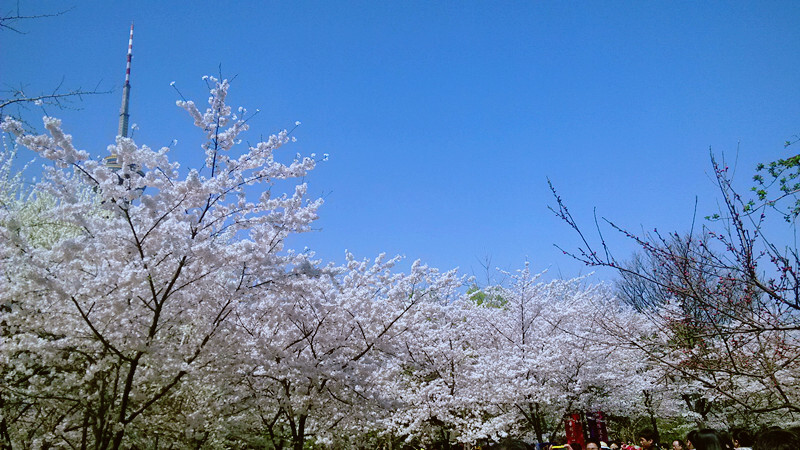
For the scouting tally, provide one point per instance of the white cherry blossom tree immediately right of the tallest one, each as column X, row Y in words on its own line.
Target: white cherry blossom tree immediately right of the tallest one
column 320, row 346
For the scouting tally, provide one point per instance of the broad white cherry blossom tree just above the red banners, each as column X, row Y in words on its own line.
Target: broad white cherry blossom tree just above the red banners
column 514, row 366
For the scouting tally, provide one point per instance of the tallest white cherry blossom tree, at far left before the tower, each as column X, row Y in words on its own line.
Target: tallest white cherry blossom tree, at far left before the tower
column 103, row 328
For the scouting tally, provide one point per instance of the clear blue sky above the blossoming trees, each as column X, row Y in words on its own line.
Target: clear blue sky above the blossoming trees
column 443, row 119
